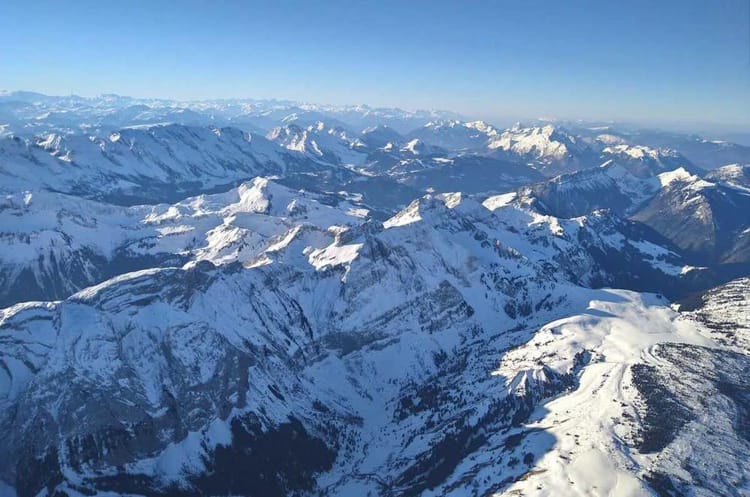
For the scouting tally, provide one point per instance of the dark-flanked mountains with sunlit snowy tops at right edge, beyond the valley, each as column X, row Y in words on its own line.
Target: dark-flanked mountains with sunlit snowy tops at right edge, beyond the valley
column 706, row 221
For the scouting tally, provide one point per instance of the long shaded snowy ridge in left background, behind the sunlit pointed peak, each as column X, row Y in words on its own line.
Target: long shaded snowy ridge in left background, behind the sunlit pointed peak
column 169, row 163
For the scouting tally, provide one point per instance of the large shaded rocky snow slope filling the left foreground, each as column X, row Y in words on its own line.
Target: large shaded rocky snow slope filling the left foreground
column 313, row 316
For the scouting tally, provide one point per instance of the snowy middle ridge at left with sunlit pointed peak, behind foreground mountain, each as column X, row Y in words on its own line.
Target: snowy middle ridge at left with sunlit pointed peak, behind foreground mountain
column 53, row 244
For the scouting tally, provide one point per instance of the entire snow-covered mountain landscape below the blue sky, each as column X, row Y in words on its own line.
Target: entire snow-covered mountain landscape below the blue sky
column 259, row 297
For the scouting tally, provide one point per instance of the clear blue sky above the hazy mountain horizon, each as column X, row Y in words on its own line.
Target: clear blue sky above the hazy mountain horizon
column 658, row 61
